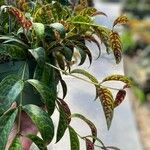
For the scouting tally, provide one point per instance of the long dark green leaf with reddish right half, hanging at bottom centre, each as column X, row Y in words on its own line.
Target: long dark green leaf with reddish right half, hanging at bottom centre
column 64, row 119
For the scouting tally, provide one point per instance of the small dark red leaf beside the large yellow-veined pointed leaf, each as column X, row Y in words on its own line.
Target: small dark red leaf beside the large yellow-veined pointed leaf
column 119, row 97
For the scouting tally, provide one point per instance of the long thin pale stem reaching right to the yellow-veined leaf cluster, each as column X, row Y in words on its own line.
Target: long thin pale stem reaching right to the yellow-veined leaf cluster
column 66, row 73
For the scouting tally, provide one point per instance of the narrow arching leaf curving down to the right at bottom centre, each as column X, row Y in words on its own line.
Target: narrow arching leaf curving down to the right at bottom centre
column 89, row 123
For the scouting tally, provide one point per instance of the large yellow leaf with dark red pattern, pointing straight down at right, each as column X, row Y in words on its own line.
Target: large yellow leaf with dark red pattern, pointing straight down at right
column 107, row 102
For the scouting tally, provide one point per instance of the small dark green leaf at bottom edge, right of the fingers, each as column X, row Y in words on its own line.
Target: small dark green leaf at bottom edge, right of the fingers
column 38, row 141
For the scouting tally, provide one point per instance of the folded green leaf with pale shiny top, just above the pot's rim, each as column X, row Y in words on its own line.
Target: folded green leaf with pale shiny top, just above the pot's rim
column 39, row 55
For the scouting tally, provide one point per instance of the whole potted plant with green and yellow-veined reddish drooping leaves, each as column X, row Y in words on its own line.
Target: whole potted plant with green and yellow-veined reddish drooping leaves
column 38, row 41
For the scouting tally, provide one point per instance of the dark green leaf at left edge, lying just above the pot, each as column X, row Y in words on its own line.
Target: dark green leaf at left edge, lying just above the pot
column 14, row 51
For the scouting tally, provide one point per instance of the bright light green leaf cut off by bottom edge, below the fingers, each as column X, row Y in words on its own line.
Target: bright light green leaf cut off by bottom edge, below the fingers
column 15, row 145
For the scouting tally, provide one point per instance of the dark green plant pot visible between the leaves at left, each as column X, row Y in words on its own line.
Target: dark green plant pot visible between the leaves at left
column 30, row 96
